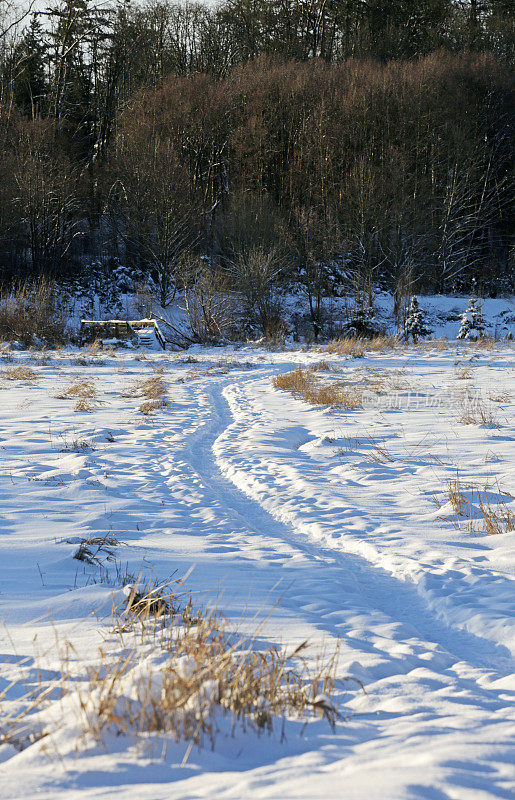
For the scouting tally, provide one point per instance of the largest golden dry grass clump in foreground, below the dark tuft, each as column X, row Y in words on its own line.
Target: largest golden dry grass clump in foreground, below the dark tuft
column 206, row 672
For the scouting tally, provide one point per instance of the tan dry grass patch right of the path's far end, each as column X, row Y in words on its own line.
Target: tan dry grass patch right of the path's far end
column 302, row 382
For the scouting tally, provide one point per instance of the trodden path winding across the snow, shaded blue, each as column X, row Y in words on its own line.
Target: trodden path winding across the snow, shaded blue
column 374, row 590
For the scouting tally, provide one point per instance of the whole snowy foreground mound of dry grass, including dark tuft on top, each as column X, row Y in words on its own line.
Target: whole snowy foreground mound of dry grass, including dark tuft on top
column 178, row 672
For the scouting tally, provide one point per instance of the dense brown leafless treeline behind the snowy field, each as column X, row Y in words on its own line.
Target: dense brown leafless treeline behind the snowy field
column 266, row 142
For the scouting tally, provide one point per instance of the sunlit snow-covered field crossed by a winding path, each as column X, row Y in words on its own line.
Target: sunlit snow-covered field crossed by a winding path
column 329, row 524
